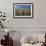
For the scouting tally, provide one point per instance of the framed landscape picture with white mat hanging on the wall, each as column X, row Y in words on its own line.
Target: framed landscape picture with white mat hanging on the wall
column 22, row 9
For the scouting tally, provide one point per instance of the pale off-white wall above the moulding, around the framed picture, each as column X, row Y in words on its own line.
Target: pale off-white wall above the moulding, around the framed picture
column 39, row 13
